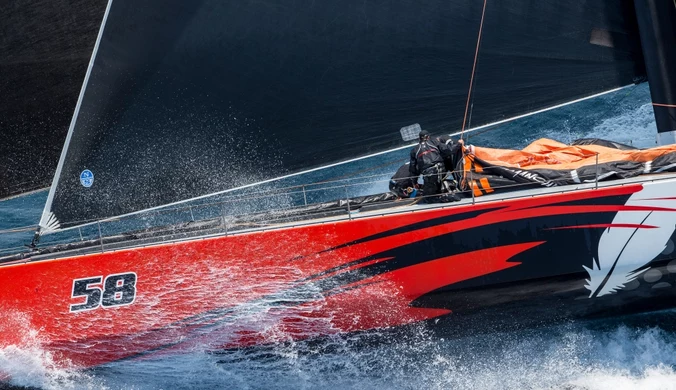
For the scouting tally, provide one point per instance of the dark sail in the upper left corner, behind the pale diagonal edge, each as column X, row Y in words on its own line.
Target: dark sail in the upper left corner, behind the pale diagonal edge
column 44, row 50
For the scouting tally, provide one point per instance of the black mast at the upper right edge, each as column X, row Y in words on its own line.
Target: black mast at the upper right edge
column 657, row 27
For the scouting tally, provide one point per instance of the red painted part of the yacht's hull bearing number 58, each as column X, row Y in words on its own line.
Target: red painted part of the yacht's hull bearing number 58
column 275, row 285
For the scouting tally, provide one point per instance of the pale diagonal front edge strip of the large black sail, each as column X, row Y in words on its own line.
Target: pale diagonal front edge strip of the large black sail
column 47, row 217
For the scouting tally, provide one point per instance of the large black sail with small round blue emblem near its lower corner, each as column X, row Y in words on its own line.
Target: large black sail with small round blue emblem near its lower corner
column 192, row 98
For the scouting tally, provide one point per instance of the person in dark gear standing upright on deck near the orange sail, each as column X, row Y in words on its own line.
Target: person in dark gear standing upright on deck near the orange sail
column 427, row 159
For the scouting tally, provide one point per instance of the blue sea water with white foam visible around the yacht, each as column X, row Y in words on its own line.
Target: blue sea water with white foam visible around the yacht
column 624, row 353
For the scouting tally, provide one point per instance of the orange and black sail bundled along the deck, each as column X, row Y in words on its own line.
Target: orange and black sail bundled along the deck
column 550, row 163
